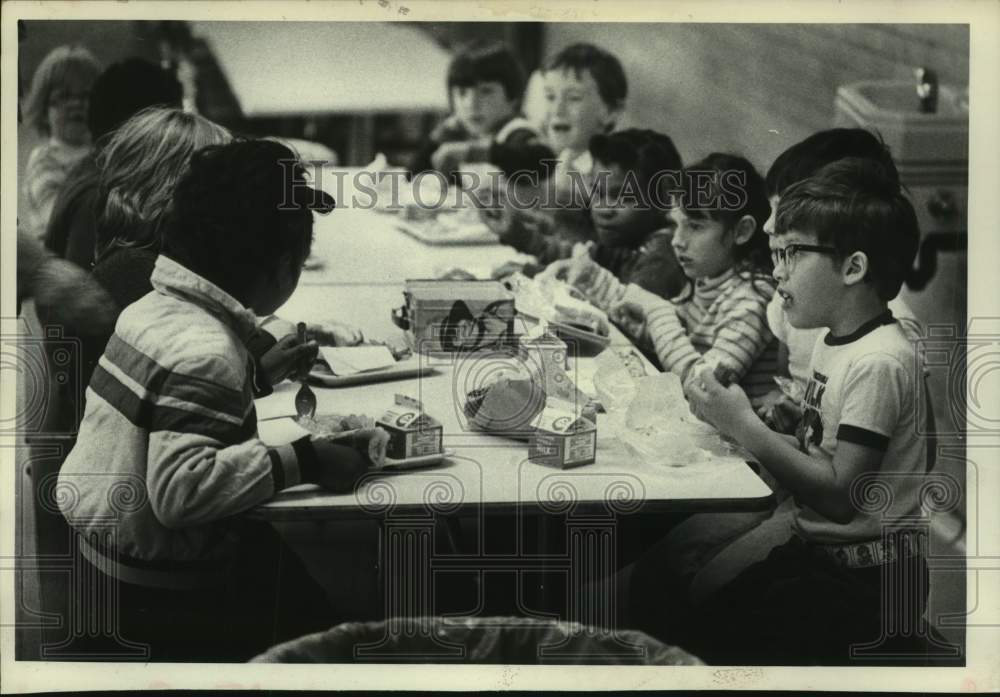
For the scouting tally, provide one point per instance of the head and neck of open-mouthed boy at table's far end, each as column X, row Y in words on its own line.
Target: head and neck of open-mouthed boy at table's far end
column 585, row 90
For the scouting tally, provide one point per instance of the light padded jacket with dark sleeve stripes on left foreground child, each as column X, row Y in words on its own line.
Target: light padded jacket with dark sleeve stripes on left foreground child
column 168, row 448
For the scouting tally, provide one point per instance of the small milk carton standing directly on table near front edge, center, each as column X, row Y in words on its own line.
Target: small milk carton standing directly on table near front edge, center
column 563, row 438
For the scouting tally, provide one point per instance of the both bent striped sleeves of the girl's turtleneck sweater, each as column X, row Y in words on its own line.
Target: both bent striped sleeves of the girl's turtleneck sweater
column 739, row 336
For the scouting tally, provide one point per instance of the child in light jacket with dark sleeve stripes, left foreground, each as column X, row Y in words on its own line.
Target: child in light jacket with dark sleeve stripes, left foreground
column 170, row 417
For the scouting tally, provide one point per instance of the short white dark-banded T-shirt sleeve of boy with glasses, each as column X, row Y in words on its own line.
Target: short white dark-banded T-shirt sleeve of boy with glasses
column 874, row 393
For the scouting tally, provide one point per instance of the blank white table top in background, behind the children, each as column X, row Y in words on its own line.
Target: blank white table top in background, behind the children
column 300, row 68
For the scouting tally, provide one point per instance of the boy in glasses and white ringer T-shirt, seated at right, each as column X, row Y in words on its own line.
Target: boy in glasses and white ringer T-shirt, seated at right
column 842, row 243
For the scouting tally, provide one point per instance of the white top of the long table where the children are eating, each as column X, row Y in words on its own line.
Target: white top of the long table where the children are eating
column 367, row 263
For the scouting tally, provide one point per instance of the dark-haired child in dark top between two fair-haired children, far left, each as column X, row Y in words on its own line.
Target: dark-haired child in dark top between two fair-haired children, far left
column 121, row 91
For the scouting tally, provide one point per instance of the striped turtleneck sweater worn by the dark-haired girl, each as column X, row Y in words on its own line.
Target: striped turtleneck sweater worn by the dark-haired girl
column 723, row 321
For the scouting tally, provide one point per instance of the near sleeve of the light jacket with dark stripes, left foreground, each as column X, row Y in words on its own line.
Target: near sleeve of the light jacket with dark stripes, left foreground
column 204, row 461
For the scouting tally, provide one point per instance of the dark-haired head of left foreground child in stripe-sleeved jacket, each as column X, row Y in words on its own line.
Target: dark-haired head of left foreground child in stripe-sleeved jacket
column 240, row 211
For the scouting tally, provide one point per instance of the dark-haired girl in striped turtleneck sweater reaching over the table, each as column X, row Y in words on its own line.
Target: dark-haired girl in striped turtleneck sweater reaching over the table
column 720, row 319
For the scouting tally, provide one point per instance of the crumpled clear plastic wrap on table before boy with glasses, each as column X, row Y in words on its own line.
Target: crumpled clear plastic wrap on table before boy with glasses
column 649, row 415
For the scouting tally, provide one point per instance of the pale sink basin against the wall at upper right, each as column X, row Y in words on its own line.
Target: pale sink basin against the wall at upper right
column 891, row 108
